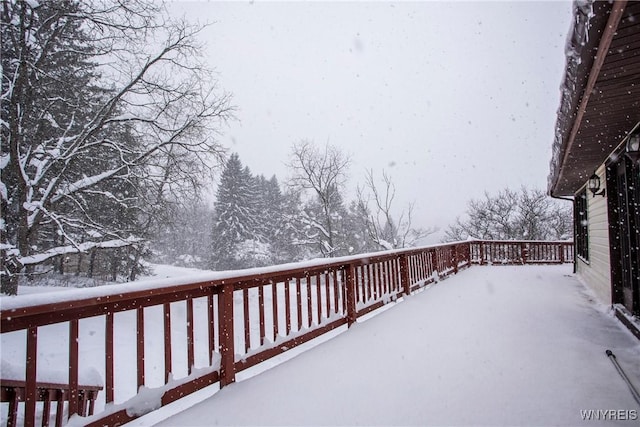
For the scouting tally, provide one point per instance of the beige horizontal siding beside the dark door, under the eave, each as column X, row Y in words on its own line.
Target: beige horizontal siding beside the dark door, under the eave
column 596, row 272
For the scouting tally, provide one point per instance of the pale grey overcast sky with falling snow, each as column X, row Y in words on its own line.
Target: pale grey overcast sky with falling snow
column 450, row 98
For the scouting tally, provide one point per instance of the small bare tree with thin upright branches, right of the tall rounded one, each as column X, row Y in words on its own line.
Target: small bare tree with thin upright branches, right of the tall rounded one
column 384, row 229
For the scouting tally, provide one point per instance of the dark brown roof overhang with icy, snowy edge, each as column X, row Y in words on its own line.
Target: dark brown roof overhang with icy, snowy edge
column 600, row 101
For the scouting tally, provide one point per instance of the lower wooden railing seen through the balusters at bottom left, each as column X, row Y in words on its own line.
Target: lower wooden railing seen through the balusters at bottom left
column 13, row 391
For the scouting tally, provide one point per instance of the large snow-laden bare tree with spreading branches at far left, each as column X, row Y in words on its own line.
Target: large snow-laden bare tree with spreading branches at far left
column 94, row 107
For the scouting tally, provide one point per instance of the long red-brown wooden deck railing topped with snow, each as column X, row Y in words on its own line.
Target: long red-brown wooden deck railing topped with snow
column 188, row 336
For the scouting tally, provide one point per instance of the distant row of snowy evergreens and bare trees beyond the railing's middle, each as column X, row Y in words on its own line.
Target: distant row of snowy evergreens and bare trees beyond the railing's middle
column 256, row 221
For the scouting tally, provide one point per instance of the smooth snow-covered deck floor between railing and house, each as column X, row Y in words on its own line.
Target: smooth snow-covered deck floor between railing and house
column 507, row 345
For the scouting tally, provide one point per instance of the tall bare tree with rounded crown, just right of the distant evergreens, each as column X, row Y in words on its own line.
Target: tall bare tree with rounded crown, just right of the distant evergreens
column 324, row 173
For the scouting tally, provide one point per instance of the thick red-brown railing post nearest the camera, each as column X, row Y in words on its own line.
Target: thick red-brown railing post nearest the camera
column 226, row 337
